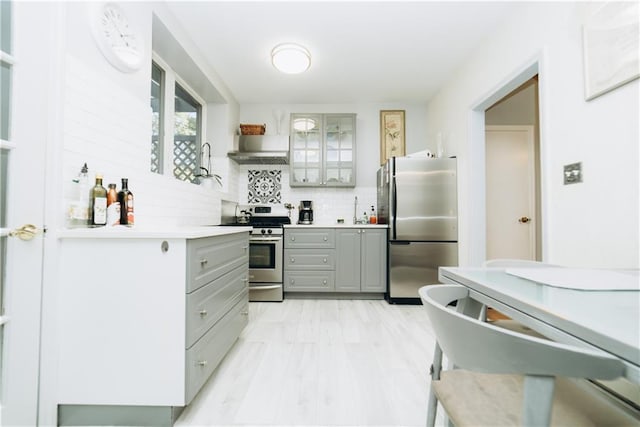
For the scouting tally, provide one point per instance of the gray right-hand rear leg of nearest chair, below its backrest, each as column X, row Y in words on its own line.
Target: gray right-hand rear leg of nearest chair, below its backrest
column 538, row 400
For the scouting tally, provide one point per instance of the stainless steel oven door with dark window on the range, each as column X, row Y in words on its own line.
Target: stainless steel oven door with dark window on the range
column 265, row 259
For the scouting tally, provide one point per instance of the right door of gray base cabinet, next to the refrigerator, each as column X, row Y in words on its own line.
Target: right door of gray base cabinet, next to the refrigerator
column 374, row 260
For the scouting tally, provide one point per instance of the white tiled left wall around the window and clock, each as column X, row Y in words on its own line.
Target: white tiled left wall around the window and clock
column 107, row 123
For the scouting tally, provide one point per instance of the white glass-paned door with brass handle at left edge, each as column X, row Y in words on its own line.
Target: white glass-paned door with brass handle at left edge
column 23, row 133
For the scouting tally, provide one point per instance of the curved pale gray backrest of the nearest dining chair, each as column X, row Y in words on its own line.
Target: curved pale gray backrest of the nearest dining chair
column 480, row 346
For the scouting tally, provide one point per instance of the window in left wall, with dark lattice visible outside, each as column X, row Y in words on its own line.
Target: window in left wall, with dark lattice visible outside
column 187, row 111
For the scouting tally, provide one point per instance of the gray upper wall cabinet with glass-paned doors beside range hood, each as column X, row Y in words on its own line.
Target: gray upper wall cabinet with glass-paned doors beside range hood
column 323, row 150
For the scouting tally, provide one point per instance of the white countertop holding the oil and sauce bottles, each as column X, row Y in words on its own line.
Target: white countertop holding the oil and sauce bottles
column 176, row 232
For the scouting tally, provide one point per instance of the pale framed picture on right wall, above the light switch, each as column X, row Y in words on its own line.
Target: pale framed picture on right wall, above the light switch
column 611, row 46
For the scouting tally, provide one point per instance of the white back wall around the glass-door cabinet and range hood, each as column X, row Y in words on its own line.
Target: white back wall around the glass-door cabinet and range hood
column 333, row 203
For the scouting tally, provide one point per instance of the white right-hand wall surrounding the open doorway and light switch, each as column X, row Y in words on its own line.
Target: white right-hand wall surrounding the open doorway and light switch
column 594, row 223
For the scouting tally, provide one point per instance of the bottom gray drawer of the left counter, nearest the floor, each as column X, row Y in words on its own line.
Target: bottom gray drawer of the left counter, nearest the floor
column 205, row 355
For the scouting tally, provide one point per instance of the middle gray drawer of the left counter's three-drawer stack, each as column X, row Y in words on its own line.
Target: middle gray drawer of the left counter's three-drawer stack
column 209, row 303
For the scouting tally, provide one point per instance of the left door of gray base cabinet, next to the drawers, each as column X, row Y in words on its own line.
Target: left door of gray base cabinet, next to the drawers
column 348, row 260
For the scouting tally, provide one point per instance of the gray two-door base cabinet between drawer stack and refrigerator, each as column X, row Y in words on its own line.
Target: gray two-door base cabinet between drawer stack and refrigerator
column 361, row 255
